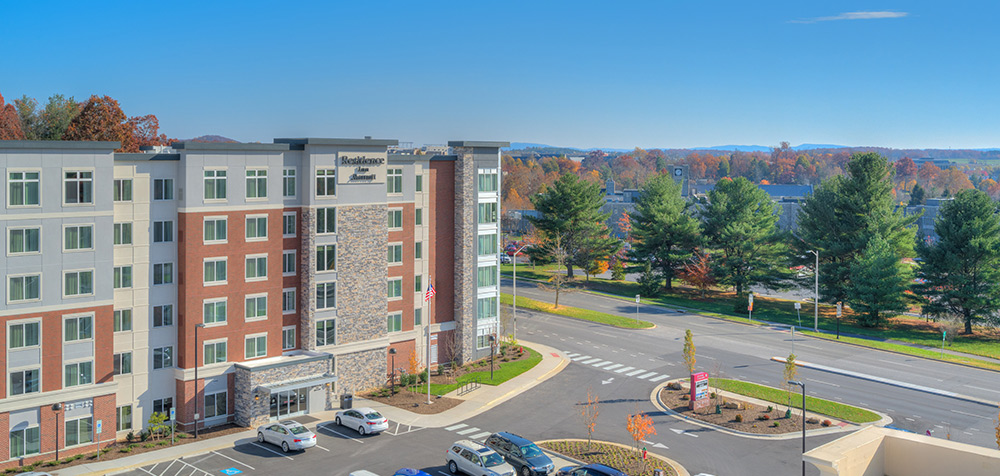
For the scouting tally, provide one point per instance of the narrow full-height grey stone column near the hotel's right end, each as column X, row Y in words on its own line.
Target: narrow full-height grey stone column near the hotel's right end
column 465, row 252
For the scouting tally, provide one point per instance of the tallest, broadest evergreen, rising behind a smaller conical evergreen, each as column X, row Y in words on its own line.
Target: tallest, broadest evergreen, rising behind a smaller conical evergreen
column 845, row 213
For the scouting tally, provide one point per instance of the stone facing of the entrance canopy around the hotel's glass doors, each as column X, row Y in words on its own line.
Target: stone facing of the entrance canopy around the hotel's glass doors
column 252, row 412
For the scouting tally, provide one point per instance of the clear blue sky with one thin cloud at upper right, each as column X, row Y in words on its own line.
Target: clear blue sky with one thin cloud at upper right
column 586, row 74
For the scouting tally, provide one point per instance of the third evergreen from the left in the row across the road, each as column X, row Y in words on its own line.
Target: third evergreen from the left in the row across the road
column 740, row 222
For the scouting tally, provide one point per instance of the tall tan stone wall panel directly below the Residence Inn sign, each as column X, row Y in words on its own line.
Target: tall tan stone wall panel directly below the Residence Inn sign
column 362, row 240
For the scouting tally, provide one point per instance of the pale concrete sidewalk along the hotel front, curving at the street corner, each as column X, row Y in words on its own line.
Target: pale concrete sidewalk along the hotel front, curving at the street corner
column 476, row 402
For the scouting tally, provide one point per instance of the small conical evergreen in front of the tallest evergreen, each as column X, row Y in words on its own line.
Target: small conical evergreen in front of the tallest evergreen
column 879, row 279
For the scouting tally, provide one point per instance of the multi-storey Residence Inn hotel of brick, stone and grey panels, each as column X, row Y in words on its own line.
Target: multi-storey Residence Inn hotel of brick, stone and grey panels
column 239, row 283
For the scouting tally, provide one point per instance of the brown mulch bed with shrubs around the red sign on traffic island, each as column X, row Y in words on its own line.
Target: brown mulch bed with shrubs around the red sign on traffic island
column 753, row 415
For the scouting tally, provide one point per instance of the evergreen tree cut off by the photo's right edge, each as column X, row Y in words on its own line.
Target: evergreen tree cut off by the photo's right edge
column 962, row 269
